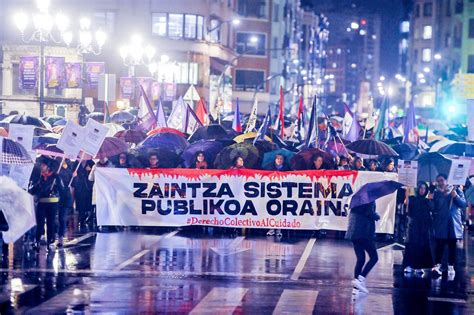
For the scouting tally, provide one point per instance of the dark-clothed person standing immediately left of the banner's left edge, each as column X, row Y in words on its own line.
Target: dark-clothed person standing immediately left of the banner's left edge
column 83, row 190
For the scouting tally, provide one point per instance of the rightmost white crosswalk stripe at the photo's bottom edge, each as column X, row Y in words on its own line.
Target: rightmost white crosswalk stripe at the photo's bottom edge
column 296, row 302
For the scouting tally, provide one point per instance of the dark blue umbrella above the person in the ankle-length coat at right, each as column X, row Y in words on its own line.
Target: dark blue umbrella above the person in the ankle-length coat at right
column 431, row 164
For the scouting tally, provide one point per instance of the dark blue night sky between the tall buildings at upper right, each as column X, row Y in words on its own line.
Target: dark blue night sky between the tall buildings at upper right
column 391, row 12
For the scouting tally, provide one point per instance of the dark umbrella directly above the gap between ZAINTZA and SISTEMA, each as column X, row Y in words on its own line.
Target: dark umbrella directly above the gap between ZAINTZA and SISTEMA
column 247, row 151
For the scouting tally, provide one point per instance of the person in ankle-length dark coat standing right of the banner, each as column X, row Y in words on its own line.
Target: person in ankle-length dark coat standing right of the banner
column 417, row 254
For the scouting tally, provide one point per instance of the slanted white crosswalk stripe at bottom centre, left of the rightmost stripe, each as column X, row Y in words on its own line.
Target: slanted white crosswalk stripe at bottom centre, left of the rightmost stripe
column 220, row 301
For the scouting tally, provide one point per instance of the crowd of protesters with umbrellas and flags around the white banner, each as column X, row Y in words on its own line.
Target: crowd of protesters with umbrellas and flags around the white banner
column 430, row 213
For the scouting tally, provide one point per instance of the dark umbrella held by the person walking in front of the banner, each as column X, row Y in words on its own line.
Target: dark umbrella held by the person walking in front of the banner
column 373, row 191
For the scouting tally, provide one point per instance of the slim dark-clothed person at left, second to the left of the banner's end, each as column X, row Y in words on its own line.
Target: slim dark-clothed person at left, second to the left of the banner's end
column 65, row 201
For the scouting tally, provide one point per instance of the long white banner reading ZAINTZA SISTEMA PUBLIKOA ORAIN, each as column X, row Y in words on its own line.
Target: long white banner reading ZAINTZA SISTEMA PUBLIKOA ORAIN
column 307, row 200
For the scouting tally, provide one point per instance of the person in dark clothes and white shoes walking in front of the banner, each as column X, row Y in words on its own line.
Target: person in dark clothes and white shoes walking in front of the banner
column 361, row 231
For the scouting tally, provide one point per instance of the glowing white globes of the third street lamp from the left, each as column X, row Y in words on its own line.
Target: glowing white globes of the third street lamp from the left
column 136, row 54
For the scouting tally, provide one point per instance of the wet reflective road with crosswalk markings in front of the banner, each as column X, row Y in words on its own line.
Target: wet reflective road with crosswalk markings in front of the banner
column 187, row 271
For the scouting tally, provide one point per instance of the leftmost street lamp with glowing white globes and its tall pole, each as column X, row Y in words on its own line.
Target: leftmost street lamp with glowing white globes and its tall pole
column 43, row 27
